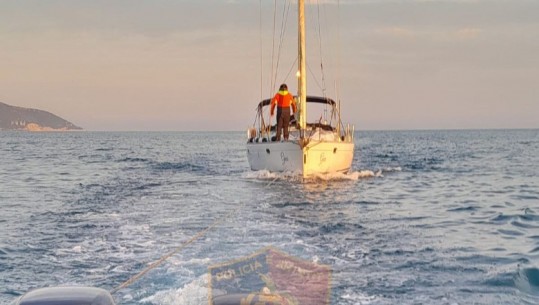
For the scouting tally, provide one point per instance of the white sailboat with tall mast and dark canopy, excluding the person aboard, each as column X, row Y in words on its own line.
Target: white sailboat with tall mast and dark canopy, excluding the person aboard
column 313, row 148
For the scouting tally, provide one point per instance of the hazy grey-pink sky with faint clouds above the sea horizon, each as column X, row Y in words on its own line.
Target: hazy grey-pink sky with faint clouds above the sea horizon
column 132, row 65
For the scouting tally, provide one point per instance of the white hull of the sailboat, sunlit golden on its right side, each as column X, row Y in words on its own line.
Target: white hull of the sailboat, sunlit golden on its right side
column 317, row 157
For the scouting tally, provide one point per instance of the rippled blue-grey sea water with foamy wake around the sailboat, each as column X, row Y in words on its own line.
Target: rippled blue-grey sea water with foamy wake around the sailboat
column 425, row 217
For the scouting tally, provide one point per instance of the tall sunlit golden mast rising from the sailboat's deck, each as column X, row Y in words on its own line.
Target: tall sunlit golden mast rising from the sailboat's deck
column 302, row 88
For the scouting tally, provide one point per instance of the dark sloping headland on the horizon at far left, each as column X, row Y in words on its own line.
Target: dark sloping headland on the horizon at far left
column 19, row 118
